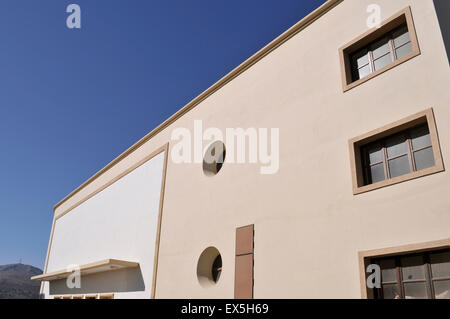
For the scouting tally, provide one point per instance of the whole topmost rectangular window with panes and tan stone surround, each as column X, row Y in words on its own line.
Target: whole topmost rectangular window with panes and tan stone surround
column 379, row 49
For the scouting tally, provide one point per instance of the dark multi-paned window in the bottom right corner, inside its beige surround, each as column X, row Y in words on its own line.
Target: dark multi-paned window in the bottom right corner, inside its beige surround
column 414, row 276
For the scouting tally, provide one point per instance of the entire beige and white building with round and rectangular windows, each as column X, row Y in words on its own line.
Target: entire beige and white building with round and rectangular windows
column 362, row 114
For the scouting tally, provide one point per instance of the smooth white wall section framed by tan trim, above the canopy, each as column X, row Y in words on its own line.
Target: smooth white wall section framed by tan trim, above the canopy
column 120, row 222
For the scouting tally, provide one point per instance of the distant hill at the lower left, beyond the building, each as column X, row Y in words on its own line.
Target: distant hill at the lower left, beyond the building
column 15, row 282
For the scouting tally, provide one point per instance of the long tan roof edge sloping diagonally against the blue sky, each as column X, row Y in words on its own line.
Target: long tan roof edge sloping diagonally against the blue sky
column 303, row 23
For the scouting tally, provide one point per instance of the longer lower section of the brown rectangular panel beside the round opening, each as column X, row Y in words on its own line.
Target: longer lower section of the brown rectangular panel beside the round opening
column 243, row 284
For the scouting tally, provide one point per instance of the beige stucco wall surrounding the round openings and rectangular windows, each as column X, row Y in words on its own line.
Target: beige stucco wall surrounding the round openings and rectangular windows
column 309, row 226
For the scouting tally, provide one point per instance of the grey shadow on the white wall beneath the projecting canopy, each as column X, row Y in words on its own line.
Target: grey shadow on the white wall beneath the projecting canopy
column 122, row 280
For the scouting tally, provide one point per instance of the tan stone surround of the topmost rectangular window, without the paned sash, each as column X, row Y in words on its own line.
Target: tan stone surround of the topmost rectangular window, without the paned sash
column 404, row 17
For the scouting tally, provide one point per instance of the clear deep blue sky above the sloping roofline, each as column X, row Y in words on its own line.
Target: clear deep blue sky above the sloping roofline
column 73, row 100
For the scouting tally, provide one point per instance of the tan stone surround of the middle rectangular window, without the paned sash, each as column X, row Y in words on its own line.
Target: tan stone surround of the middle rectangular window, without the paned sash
column 355, row 144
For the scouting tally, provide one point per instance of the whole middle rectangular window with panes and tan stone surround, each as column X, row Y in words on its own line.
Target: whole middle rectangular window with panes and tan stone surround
column 397, row 152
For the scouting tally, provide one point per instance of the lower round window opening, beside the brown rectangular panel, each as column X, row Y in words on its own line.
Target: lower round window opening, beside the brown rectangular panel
column 209, row 267
